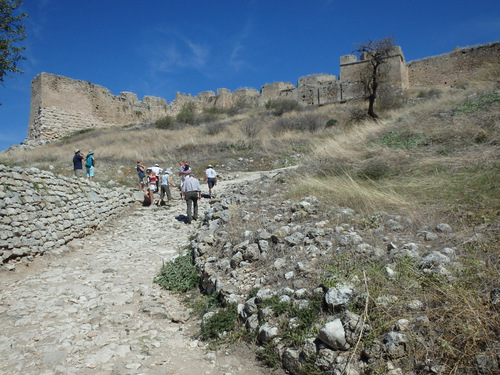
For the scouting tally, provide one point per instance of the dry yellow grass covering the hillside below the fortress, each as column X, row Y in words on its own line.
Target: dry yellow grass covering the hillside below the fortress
column 435, row 159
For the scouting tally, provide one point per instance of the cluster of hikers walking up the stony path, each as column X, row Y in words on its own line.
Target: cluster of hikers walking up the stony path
column 156, row 179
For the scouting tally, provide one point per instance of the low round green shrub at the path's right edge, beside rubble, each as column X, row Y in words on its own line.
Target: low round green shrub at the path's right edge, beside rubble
column 179, row 275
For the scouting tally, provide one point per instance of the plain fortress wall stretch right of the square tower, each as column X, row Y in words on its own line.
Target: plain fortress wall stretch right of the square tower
column 456, row 67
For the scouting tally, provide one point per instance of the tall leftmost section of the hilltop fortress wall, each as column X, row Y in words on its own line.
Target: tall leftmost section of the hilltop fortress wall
column 61, row 106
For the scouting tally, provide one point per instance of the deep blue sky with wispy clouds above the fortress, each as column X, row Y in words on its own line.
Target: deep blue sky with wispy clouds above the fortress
column 160, row 47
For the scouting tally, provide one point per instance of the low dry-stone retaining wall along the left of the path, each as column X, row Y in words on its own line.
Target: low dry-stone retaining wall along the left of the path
column 40, row 211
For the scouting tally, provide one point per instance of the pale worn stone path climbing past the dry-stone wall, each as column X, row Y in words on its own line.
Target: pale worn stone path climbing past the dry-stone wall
column 92, row 308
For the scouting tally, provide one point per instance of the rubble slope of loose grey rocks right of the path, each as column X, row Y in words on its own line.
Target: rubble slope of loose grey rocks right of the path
column 290, row 262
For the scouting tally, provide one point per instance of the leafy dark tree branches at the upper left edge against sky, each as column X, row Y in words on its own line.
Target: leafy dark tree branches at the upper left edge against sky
column 12, row 31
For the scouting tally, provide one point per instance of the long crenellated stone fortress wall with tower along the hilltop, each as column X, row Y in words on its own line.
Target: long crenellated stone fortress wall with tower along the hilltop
column 61, row 106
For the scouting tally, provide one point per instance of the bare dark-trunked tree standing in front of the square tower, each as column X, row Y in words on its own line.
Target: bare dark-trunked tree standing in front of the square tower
column 376, row 53
